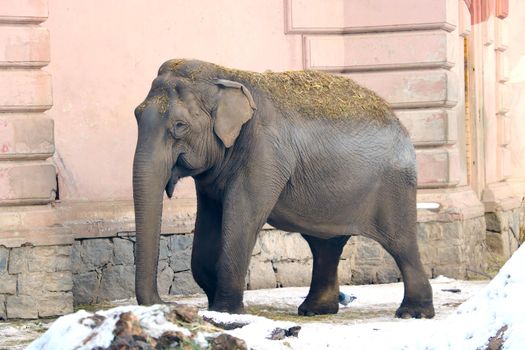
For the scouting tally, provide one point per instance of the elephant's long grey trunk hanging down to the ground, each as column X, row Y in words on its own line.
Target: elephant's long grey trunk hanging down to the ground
column 148, row 186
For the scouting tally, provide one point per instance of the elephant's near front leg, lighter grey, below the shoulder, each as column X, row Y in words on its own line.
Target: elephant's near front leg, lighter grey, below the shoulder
column 245, row 210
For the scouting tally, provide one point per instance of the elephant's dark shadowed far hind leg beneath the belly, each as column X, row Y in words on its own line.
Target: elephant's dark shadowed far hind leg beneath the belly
column 324, row 288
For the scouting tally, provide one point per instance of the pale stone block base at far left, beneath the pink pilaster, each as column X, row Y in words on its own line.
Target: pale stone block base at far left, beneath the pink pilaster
column 35, row 282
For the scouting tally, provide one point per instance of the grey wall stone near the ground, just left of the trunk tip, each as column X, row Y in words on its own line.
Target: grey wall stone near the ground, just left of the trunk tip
column 117, row 282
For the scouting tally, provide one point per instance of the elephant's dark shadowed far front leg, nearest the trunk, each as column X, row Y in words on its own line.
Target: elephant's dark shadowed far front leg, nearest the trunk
column 206, row 243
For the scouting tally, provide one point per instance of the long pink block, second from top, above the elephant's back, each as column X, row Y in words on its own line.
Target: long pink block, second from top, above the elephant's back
column 428, row 49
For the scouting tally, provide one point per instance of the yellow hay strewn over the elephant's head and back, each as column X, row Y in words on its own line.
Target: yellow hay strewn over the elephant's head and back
column 311, row 93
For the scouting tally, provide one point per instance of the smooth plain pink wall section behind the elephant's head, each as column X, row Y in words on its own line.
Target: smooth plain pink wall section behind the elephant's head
column 104, row 55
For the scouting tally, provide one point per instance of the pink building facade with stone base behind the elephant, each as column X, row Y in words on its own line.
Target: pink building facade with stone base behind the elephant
column 71, row 75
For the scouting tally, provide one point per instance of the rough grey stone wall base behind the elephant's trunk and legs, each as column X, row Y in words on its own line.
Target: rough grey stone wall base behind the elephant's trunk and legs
column 103, row 267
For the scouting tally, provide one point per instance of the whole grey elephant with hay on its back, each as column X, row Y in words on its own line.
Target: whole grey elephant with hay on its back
column 304, row 151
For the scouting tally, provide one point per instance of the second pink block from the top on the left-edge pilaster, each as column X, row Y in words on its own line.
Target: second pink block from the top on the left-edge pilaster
column 24, row 46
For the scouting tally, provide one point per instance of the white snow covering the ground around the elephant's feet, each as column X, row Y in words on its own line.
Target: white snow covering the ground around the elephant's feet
column 366, row 323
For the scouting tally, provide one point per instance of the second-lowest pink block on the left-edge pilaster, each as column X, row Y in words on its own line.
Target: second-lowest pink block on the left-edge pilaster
column 26, row 137
